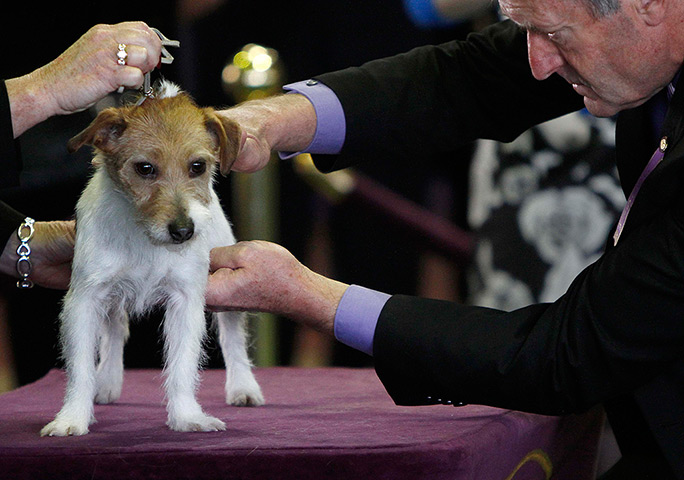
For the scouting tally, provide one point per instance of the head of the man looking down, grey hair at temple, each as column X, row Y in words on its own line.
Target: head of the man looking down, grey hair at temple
column 616, row 53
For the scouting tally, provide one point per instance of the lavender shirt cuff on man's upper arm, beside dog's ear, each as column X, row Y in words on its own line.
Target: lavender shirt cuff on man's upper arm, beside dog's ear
column 330, row 122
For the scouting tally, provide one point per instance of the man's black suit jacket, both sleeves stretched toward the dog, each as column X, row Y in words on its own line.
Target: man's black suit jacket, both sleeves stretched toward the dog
column 616, row 337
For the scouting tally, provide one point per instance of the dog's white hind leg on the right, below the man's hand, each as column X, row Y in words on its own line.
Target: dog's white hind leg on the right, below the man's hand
column 242, row 388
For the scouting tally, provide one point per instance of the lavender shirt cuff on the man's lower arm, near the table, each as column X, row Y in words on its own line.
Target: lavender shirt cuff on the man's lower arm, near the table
column 357, row 315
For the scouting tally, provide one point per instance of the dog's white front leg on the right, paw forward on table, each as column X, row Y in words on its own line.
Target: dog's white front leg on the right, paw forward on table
column 184, row 332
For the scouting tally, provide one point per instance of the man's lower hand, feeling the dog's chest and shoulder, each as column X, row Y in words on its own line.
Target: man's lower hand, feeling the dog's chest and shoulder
column 265, row 277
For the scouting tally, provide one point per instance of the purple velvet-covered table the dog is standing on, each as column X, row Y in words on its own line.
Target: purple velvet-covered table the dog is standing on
column 317, row 424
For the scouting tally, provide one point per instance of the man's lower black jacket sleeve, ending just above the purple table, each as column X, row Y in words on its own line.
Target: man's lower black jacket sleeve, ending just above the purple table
column 618, row 326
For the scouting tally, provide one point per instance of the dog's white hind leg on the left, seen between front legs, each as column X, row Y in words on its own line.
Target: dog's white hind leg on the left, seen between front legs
column 110, row 369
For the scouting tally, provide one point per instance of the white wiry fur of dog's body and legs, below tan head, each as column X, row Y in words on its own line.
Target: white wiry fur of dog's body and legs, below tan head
column 118, row 271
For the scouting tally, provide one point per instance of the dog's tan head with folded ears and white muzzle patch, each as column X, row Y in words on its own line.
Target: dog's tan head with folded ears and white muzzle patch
column 163, row 155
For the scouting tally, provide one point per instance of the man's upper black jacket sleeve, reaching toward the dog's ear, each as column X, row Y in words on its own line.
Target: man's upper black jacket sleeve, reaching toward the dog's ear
column 435, row 99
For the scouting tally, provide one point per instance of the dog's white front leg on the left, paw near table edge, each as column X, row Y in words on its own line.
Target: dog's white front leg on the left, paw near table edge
column 80, row 324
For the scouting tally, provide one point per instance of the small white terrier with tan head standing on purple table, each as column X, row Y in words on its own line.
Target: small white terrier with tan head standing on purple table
column 145, row 224
